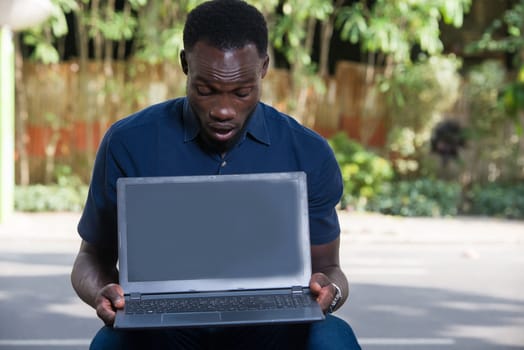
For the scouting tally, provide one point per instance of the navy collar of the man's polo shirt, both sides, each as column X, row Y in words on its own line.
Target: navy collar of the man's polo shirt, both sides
column 256, row 125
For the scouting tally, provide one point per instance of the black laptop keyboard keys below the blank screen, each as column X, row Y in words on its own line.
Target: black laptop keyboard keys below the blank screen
column 213, row 304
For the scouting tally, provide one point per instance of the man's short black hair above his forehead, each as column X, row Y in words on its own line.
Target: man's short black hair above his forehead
column 226, row 24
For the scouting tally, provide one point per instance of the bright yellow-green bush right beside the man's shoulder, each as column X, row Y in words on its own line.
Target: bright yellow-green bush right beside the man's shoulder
column 363, row 172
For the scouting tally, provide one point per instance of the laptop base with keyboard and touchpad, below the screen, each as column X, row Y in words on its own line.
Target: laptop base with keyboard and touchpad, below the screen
column 244, row 308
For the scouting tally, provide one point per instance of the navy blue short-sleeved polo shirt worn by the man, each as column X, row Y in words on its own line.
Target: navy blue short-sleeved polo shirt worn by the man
column 161, row 140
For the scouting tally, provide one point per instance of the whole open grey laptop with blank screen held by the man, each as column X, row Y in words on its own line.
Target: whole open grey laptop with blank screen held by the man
column 214, row 250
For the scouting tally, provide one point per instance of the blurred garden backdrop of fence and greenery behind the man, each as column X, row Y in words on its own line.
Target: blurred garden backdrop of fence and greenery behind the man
column 422, row 101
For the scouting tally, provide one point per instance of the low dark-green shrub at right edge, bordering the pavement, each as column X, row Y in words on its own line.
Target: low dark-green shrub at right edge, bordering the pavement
column 499, row 200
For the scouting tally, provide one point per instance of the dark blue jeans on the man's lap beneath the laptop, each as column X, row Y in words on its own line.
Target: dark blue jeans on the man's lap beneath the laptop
column 332, row 333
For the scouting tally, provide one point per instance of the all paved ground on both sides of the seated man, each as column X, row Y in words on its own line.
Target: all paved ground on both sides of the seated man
column 416, row 283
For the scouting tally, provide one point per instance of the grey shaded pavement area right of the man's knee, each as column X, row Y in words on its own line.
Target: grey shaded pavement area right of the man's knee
column 471, row 321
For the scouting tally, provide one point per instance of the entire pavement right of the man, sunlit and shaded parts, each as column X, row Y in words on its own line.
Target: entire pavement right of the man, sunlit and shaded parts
column 424, row 283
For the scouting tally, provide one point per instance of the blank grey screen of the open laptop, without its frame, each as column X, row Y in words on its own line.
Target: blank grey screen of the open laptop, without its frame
column 222, row 229
